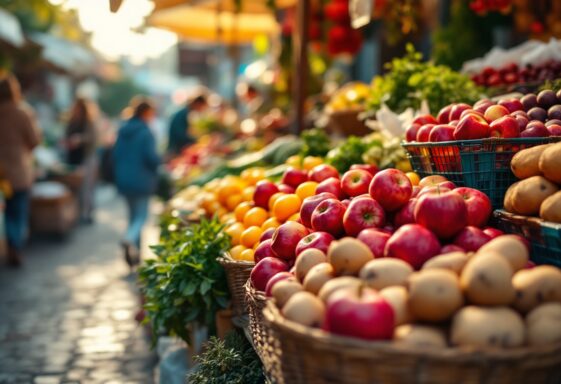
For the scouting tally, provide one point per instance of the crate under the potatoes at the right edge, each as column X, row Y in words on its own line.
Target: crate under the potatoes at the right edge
column 544, row 237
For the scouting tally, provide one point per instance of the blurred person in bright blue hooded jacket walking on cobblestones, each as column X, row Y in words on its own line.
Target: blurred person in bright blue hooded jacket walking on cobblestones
column 136, row 172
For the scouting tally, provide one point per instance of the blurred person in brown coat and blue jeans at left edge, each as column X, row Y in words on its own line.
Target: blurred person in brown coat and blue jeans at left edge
column 19, row 134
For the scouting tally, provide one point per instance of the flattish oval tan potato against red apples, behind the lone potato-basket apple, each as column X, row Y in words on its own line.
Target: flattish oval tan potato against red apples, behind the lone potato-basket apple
column 385, row 272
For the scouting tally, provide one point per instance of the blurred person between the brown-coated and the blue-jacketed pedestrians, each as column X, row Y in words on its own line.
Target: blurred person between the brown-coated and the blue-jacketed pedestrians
column 81, row 145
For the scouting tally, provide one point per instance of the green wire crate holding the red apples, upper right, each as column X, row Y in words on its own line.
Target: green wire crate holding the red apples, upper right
column 481, row 164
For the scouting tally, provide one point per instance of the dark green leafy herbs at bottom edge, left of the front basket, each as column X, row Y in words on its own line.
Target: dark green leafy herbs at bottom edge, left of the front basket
column 231, row 361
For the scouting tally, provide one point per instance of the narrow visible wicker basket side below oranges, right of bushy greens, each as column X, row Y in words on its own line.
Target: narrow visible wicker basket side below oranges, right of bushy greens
column 237, row 273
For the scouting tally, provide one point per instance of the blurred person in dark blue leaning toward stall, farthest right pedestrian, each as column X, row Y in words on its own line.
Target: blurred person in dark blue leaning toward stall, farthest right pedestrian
column 179, row 136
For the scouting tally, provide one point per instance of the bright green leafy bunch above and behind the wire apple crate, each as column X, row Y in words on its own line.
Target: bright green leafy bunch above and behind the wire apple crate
column 410, row 80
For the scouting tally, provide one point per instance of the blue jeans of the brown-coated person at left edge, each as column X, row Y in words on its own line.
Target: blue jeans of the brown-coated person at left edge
column 16, row 216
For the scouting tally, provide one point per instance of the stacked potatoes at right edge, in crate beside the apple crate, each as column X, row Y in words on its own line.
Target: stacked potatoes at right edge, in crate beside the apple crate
column 537, row 193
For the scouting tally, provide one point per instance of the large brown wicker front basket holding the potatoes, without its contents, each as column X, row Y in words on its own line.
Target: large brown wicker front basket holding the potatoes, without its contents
column 313, row 356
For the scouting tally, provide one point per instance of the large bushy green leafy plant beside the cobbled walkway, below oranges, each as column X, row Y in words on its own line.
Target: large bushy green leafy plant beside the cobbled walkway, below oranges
column 185, row 284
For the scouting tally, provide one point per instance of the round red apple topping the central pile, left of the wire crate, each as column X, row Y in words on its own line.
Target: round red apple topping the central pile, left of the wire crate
column 391, row 188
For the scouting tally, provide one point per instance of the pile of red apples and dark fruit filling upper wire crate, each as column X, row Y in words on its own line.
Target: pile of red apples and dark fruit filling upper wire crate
column 530, row 116
